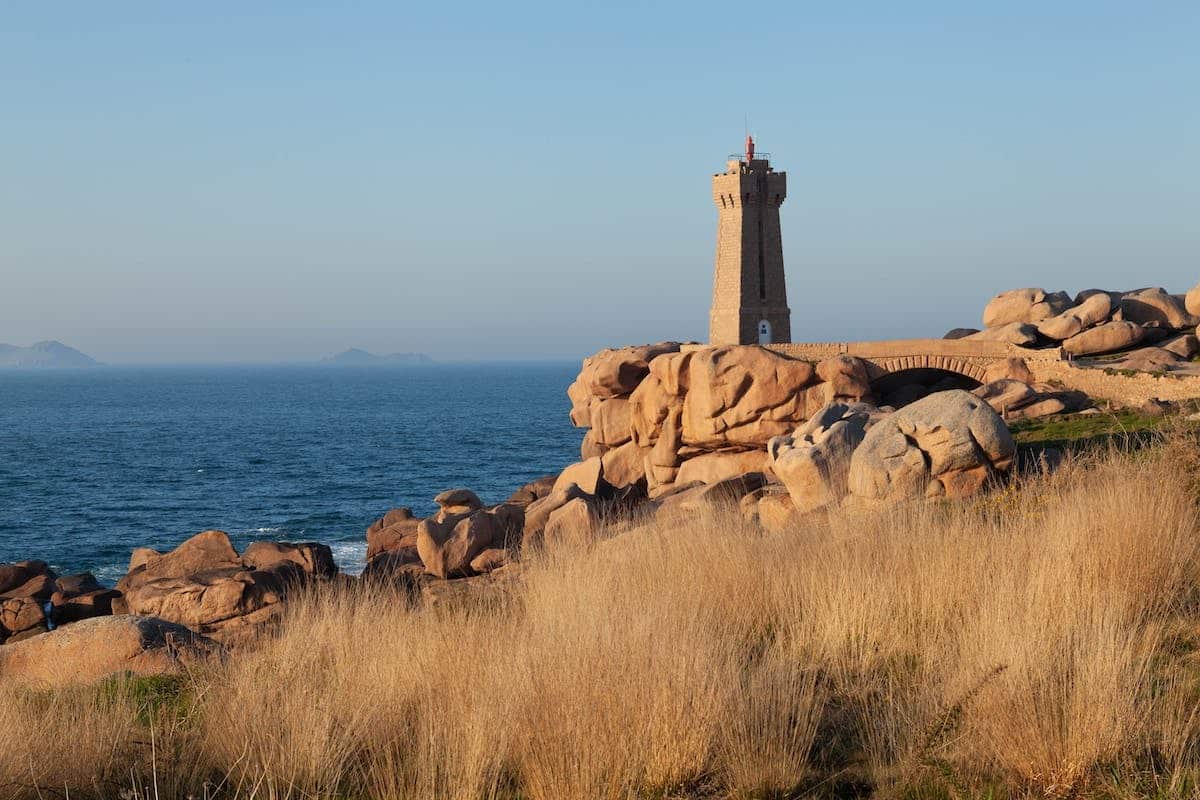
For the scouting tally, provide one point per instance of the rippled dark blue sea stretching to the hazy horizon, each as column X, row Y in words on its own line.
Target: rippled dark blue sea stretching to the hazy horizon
column 94, row 464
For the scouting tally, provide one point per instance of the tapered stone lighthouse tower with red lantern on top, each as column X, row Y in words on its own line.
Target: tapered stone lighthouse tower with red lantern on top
column 749, row 297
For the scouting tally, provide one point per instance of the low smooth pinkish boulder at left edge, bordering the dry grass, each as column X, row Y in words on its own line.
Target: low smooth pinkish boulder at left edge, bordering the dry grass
column 93, row 649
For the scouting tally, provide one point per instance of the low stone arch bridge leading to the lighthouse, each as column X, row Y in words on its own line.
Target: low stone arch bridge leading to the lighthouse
column 961, row 357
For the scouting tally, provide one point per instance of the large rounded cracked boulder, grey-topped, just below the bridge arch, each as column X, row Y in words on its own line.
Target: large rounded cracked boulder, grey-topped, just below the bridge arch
column 949, row 444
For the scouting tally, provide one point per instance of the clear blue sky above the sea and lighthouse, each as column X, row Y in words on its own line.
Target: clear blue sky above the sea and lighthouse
column 281, row 181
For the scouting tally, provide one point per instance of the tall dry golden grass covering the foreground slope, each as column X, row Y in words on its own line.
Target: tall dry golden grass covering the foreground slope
column 1036, row 642
